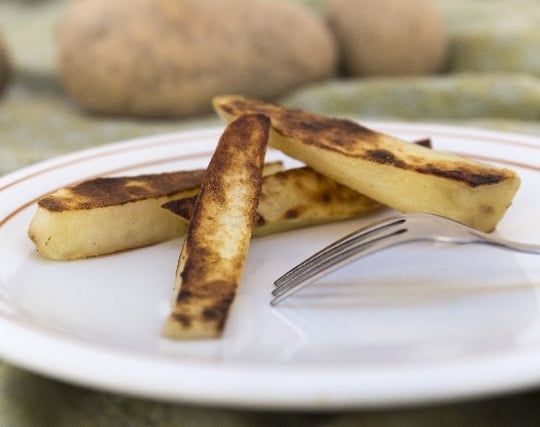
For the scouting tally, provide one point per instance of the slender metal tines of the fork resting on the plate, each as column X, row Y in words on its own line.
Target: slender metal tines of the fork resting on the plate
column 366, row 240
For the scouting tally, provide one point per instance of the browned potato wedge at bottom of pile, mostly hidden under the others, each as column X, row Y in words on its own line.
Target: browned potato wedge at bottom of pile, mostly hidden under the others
column 296, row 198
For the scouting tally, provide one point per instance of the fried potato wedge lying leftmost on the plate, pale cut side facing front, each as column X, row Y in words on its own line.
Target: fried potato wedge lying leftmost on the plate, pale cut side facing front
column 106, row 215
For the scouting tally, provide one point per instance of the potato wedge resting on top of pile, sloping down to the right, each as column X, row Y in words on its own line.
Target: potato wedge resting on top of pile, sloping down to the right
column 404, row 176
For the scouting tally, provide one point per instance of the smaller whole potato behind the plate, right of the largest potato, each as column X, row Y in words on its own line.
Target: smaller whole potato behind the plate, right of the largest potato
column 388, row 37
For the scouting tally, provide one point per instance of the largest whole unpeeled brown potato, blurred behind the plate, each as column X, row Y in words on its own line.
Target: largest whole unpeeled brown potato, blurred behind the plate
column 168, row 58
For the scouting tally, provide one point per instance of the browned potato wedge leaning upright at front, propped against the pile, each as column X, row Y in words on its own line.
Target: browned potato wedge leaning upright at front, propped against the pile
column 213, row 254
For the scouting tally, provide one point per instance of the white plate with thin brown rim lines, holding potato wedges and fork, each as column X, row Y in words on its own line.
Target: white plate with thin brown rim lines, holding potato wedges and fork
column 412, row 324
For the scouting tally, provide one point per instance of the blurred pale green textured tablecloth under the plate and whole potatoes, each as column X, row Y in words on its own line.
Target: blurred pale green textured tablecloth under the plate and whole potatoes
column 492, row 82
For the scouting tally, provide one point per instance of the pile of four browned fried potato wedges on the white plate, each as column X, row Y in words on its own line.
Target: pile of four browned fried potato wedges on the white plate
column 349, row 171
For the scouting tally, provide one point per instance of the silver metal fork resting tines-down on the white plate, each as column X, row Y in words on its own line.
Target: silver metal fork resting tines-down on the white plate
column 381, row 235
